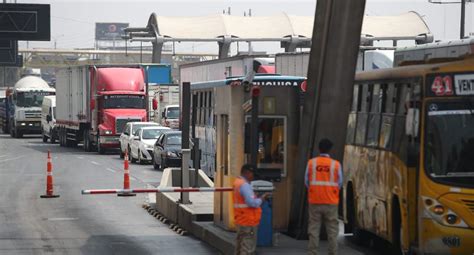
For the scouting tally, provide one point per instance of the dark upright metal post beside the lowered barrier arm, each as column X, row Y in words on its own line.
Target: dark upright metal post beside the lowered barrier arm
column 185, row 112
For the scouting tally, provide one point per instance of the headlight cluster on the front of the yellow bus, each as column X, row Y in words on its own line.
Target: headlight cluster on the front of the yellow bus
column 442, row 214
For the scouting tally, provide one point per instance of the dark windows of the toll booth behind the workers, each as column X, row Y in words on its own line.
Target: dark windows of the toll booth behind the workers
column 271, row 156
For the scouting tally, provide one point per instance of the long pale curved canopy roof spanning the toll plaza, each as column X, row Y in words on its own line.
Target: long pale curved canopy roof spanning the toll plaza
column 291, row 31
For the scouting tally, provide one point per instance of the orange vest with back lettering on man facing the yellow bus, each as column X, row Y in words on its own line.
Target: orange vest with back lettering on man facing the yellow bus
column 323, row 177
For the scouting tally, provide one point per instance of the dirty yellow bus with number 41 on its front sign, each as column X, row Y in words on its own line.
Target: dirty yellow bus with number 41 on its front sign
column 409, row 157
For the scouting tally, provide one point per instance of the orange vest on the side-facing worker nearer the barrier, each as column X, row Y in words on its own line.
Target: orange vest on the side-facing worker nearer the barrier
column 243, row 214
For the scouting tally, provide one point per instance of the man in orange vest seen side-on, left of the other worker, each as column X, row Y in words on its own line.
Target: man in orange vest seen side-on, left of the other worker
column 247, row 211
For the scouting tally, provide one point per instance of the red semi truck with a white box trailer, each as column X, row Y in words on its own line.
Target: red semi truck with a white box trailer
column 94, row 103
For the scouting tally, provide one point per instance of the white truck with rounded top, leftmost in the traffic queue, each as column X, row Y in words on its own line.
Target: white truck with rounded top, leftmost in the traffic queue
column 21, row 111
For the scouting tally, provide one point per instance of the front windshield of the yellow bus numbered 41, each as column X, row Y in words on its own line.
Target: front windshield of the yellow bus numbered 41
column 450, row 141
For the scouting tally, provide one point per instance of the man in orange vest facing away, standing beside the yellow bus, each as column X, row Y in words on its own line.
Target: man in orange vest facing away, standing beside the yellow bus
column 323, row 178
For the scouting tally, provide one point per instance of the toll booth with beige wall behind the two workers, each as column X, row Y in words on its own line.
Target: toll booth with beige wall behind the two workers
column 279, row 109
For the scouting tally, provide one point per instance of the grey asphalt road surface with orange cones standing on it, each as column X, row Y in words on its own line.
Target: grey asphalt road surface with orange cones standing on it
column 94, row 224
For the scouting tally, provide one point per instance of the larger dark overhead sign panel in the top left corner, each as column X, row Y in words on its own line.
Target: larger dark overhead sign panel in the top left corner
column 30, row 22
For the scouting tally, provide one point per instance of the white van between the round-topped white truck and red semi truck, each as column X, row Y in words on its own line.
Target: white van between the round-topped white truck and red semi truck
column 48, row 119
